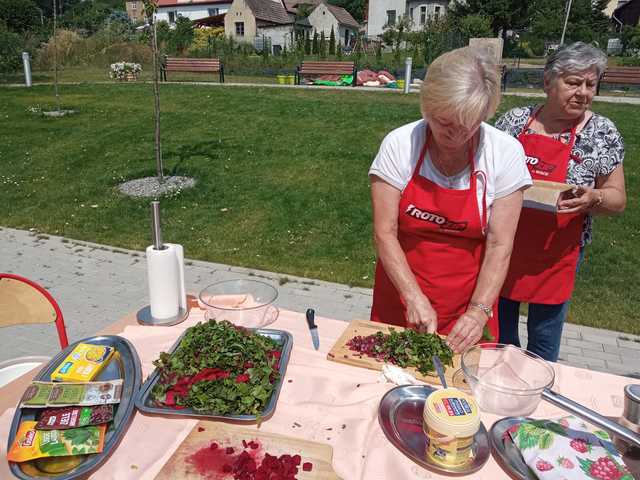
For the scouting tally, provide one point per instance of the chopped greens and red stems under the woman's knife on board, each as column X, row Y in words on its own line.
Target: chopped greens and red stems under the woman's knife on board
column 406, row 348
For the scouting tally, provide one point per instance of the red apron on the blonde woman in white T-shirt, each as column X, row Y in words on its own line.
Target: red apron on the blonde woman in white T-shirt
column 443, row 238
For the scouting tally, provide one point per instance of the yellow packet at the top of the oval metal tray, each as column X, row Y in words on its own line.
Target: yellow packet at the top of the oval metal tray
column 83, row 363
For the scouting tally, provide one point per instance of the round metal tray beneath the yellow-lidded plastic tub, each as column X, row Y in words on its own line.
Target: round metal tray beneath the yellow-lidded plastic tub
column 400, row 416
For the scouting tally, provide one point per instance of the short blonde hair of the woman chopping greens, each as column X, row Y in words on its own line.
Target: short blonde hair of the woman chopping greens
column 463, row 85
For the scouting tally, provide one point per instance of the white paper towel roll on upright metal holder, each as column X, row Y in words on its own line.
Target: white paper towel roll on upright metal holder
column 164, row 282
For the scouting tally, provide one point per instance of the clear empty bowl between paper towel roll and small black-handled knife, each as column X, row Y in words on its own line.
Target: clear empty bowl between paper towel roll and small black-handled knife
column 246, row 303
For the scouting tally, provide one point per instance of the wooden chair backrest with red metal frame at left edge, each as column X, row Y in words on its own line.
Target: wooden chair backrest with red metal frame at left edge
column 25, row 302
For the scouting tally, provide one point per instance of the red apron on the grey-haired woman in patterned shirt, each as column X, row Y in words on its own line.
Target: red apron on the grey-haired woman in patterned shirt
column 547, row 245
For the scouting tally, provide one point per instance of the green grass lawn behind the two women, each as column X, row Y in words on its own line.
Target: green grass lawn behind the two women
column 282, row 180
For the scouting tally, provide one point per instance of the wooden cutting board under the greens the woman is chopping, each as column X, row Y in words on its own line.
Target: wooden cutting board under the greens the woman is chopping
column 340, row 352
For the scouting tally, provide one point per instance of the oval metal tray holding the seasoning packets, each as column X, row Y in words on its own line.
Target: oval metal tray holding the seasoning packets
column 125, row 365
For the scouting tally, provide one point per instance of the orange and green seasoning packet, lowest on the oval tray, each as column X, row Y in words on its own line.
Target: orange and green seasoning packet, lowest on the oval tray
column 30, row 443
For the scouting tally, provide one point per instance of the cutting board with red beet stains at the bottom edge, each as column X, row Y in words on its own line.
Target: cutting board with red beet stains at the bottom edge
column 212, row 447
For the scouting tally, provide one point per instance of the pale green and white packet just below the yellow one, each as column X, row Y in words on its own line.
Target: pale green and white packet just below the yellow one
column 56, row 394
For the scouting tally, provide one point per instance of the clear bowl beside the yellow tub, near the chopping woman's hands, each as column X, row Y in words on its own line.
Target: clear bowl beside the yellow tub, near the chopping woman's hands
column 506, row 380
